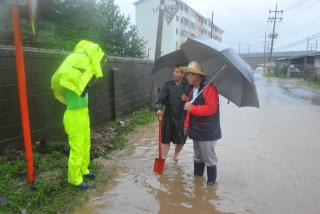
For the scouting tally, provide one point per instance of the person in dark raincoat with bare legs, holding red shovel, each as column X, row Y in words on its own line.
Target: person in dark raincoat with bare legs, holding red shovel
column 169, row 105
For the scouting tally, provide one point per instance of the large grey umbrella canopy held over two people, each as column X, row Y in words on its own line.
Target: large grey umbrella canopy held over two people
column 235, row 82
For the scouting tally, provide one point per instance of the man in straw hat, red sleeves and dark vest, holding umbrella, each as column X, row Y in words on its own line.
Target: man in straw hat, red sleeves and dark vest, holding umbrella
column 202, row 123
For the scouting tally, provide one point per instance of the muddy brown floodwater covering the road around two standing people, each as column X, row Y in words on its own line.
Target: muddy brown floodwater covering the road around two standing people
column 268, row 163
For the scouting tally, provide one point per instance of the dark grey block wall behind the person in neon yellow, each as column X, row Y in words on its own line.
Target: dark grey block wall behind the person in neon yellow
column 125, row 88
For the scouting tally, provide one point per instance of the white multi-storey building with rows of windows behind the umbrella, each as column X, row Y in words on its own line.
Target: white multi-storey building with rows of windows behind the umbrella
column 180, row 22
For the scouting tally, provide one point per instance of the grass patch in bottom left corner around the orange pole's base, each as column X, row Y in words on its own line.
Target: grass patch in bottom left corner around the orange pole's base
column 53, row 190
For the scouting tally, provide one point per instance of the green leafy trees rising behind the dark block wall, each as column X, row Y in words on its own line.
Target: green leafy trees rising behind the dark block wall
column 61, row 24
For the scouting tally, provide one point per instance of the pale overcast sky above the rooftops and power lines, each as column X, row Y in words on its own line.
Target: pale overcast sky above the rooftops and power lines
column 244, row 21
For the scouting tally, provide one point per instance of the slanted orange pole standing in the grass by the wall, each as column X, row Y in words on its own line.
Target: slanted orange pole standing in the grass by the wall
column 22, row 91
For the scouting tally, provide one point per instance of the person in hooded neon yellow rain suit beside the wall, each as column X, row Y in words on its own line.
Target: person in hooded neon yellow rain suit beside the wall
column 70, row 84
